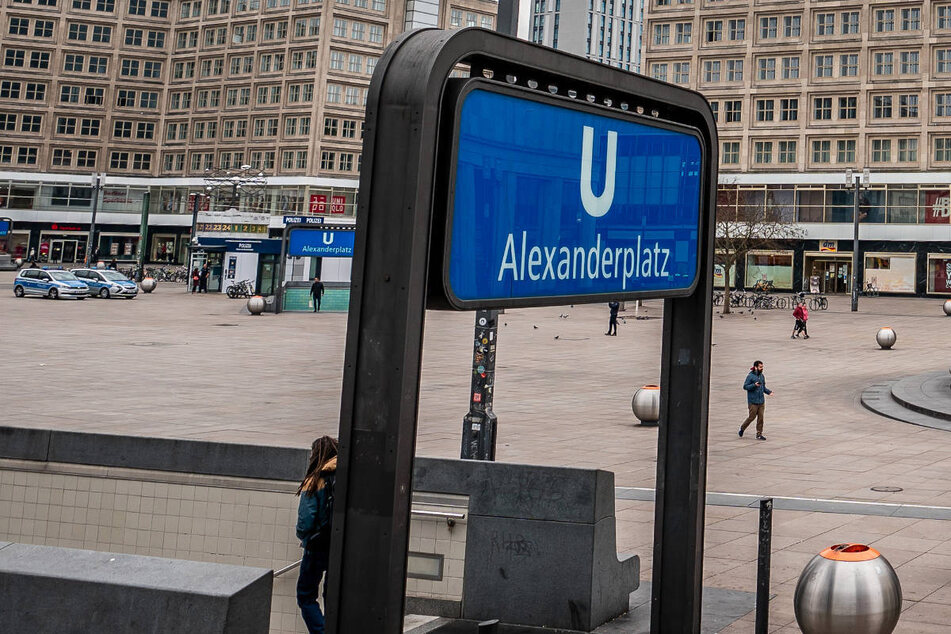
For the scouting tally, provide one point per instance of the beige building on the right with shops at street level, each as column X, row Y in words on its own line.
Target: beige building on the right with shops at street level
column 805, row 90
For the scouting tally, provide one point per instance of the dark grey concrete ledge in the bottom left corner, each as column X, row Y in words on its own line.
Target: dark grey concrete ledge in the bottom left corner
column 45, row 589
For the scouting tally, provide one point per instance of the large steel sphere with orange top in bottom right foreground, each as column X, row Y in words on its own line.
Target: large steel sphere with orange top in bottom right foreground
column 847, row 589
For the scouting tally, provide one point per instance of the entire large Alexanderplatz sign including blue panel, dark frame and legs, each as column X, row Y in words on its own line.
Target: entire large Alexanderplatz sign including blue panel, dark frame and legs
column 543, row 179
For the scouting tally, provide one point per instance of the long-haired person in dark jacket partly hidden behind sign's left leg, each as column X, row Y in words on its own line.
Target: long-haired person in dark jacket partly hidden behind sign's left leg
column 314, row 521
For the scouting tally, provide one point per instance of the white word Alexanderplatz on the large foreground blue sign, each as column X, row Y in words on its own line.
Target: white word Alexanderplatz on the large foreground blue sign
column 523, row 261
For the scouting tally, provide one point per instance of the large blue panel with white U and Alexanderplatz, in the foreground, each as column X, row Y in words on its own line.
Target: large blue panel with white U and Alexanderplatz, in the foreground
column 555, row 199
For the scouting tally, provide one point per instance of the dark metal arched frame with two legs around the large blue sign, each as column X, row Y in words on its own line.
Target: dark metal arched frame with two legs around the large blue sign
column 393, row 275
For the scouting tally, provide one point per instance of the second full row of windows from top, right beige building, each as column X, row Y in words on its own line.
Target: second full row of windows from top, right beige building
column 824, row 66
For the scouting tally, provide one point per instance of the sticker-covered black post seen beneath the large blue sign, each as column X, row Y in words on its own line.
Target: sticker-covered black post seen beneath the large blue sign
column 479, row 425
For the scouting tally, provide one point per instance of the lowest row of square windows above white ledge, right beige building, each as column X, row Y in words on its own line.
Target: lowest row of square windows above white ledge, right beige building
column 826, row 152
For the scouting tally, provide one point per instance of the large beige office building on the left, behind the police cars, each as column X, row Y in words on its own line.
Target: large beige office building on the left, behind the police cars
column 154, row 93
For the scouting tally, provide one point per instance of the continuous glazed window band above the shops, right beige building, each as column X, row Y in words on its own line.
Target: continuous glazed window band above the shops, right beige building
column 898, row 204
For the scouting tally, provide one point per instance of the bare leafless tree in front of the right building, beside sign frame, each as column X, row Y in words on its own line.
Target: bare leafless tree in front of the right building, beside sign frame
column 748, row 220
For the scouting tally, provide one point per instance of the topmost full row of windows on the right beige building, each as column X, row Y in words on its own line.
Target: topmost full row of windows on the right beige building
column 826, row 24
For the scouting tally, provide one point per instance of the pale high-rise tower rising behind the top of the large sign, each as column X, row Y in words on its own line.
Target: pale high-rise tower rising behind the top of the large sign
column 607, row 31
